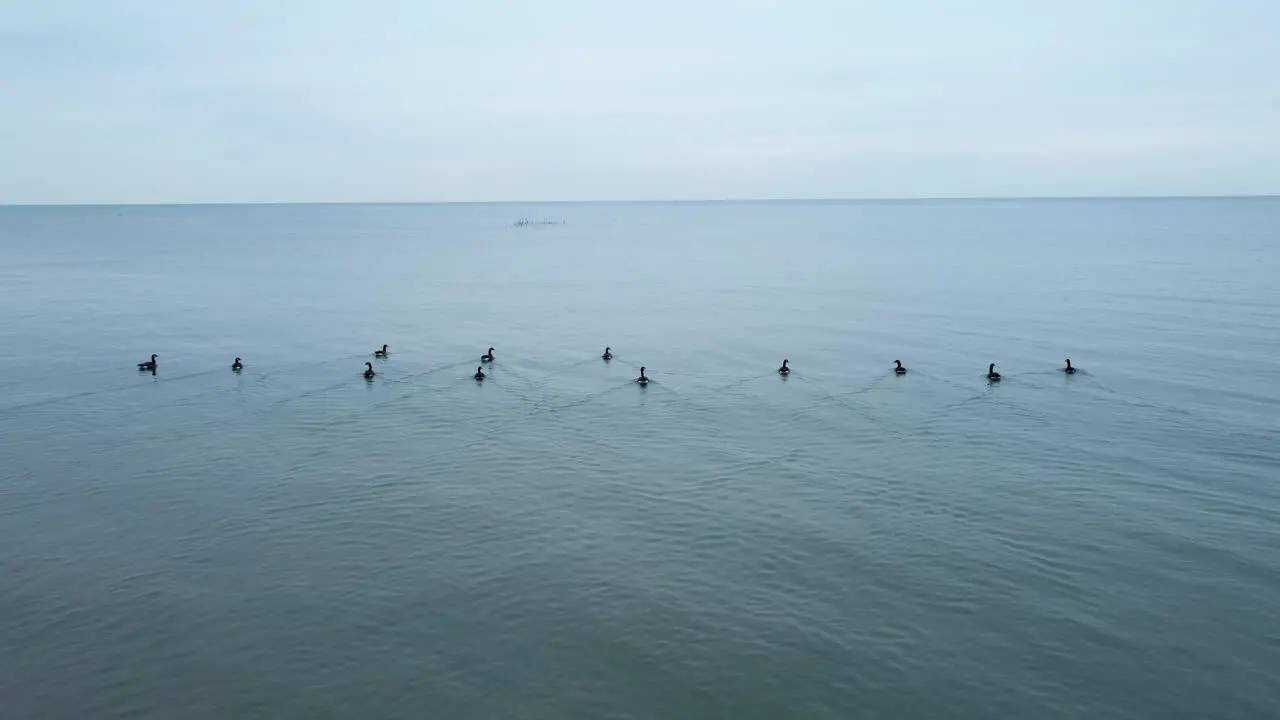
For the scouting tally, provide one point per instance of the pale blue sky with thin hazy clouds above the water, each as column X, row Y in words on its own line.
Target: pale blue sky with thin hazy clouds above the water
column 286, row 101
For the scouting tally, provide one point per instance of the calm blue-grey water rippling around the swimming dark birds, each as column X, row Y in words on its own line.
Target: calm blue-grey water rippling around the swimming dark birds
column 294, row 541
